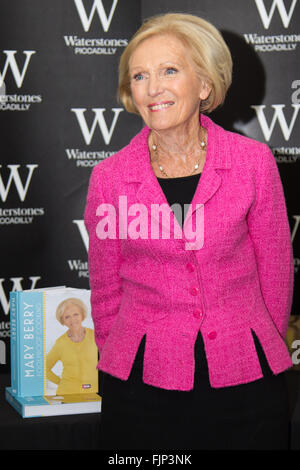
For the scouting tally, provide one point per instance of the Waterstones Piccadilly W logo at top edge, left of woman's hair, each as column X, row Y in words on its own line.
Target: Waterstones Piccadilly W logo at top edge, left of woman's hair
column 95, row 46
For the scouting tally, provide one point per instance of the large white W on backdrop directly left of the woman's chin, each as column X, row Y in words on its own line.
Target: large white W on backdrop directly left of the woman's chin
column 98, row 119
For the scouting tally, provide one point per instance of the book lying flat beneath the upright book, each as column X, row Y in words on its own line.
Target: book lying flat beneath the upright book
column 41, row 406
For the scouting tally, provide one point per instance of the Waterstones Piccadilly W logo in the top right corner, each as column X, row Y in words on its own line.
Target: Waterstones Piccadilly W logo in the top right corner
column 277, row 42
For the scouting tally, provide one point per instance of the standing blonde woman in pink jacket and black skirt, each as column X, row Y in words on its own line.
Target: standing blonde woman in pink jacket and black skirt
column 191, row 333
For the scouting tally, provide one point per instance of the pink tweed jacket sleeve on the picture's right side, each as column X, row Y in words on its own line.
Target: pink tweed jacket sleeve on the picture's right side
column 270, row 233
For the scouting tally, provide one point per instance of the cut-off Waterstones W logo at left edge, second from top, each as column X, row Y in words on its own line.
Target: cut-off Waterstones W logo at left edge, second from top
column 14, row 182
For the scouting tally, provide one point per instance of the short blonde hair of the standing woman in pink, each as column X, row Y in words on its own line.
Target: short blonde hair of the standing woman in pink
column 208, row 51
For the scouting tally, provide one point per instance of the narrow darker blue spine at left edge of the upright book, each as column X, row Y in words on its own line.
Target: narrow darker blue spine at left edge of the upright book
column 13, row 301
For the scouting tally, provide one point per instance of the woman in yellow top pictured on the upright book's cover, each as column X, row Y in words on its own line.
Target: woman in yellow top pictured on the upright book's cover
column 76, row 349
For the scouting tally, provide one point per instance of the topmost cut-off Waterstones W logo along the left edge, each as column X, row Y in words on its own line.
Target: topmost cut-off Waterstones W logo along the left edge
column 16, row 102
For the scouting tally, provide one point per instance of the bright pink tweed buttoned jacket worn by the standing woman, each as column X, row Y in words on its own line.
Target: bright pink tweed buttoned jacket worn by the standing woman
column 240, row 278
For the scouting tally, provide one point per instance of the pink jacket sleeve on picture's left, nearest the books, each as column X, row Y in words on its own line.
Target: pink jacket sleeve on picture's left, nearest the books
column 104, row 264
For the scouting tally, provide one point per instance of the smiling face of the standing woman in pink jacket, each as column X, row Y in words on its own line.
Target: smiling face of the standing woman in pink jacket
column 165, row 87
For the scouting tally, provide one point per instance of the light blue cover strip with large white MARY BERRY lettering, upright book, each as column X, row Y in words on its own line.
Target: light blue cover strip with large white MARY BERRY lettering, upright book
column 31, row 329
